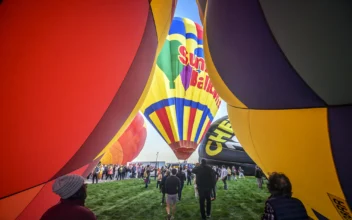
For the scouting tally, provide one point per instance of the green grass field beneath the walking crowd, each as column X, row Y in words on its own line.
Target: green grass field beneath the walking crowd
column 129, row 200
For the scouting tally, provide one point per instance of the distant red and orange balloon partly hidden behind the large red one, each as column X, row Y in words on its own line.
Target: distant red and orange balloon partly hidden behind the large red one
column 129, row 145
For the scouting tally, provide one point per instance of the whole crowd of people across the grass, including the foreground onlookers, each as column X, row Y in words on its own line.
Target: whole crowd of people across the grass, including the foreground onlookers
column 170, row 181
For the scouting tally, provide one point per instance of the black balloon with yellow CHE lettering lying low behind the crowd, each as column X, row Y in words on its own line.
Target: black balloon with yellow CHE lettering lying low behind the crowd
column 220, row 146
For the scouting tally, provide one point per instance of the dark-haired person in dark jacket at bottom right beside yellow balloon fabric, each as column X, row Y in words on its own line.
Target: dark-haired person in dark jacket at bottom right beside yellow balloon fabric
column 281, row 204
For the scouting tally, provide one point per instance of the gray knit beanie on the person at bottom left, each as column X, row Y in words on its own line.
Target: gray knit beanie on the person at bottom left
column 66, row 186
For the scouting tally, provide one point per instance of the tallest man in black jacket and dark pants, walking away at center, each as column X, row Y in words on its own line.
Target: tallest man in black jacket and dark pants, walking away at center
column 205, row 179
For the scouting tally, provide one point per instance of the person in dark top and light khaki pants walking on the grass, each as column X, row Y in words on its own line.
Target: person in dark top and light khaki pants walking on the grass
column 172, row 188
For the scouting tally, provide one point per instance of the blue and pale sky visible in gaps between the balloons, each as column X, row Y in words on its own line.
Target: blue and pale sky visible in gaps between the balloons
column 155, row 143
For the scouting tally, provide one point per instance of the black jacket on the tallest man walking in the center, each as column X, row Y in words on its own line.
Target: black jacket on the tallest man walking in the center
column 205, row 177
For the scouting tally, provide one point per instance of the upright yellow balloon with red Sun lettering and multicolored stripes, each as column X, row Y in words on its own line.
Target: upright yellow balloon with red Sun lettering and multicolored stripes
column 182, row 101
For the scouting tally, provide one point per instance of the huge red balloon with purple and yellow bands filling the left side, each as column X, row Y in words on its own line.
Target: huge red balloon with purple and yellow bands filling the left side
column 68, row 83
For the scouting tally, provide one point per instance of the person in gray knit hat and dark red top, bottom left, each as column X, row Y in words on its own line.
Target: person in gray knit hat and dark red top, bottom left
column 73, row 193
